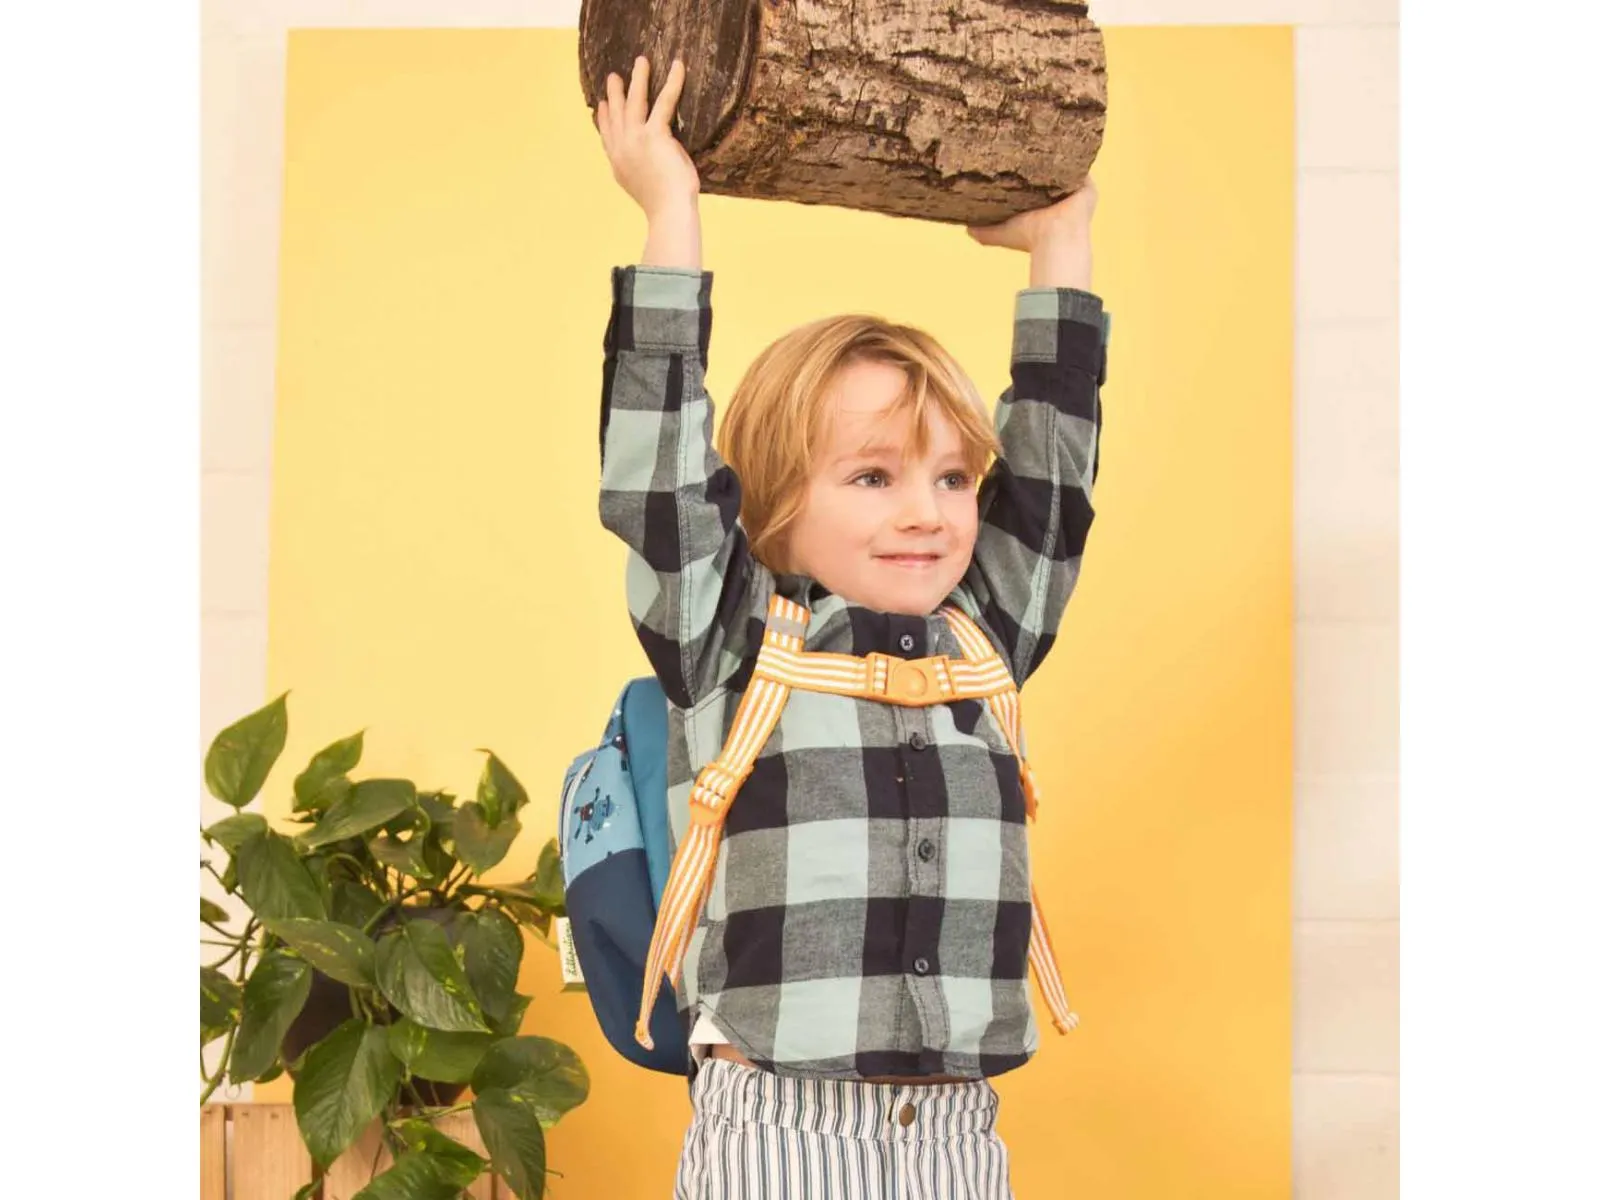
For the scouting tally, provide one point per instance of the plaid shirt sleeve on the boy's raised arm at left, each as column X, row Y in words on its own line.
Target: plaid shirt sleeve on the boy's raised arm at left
column 666, row 492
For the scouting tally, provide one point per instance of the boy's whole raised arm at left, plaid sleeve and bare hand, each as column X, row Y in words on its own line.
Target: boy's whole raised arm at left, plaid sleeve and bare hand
column 663, row 487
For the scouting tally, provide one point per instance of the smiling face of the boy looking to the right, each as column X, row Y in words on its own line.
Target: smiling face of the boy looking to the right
column 879, row 527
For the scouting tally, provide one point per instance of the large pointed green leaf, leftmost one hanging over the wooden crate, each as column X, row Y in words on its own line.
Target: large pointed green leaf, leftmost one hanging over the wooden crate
column 345, row 1082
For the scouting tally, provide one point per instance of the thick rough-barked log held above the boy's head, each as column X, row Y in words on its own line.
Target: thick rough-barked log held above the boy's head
column 961, row 111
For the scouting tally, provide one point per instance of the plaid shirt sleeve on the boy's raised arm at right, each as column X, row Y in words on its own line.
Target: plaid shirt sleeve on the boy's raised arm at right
column 1034, row 506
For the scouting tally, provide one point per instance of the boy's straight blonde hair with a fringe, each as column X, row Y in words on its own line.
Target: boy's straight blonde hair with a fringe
column 777, row 418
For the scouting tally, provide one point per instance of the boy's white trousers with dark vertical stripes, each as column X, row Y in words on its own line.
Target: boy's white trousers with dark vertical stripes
column 764, row 1137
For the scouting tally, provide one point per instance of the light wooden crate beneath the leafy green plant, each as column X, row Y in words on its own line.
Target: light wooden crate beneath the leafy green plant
column 255, row 1153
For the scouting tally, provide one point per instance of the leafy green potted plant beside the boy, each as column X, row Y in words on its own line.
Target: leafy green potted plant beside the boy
column 378, row 969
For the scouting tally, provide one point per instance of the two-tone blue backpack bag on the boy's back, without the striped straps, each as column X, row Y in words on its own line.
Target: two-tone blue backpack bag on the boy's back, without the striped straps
column 617, row 854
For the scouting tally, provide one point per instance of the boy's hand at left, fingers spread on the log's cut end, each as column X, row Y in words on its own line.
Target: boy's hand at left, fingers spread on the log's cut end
column 647, row 159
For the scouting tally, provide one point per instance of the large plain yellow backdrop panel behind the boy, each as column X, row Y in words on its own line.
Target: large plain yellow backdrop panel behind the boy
column 439, row 575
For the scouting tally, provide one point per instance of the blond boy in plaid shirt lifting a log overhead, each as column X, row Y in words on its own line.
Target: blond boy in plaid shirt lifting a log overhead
column 855, row 970
